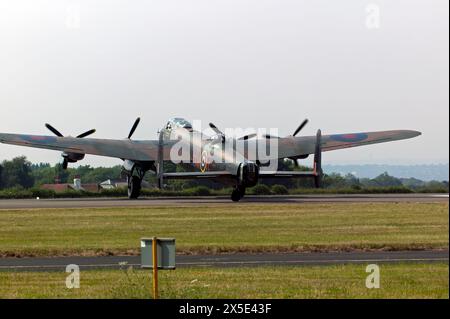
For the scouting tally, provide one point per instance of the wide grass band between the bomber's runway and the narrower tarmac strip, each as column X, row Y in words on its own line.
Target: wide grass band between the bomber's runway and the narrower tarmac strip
column 226, row 228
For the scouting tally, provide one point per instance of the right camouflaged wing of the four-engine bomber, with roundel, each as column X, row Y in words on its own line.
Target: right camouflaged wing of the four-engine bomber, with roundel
column 298, row 146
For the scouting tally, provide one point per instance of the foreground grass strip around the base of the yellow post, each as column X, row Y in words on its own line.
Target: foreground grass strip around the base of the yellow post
column 343, row 281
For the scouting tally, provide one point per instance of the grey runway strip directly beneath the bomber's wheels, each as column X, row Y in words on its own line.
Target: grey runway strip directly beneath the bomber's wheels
column 219, row 200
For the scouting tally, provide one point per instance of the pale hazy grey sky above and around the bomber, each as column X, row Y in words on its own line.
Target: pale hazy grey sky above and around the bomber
column 346, row 65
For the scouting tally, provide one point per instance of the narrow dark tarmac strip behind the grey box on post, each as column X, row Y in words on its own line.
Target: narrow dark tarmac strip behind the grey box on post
column 228, row 260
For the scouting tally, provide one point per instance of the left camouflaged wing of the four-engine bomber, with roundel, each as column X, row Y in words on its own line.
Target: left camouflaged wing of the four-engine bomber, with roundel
column 125, row 149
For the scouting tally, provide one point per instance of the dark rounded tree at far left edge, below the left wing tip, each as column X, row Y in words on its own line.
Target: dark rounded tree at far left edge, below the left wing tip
column 17, row 173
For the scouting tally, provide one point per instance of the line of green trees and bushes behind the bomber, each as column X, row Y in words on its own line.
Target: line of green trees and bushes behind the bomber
column 21, row 173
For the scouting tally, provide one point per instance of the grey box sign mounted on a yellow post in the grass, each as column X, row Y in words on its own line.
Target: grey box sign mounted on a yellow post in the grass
column 157, row 253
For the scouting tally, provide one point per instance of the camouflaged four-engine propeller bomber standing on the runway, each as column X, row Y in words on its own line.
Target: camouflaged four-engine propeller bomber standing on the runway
column 223, row 158
